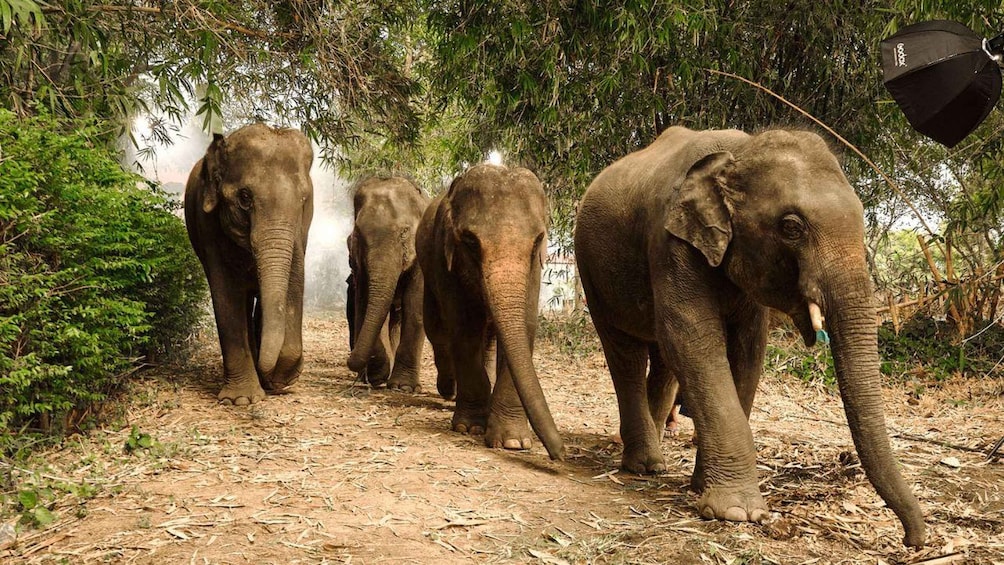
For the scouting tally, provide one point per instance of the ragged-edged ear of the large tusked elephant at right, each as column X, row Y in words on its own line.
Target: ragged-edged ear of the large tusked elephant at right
column 698, row 213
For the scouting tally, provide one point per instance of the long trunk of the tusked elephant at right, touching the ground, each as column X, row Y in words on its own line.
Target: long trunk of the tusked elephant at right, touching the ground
column 852, row 321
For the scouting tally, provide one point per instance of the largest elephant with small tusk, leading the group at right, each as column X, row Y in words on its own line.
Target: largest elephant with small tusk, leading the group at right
column 683, row 247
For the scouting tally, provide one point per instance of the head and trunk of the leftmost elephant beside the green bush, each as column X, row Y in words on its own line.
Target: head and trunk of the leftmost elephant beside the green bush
column 260, row 189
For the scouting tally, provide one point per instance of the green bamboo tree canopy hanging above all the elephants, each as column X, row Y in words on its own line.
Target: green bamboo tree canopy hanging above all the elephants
column 565, row 87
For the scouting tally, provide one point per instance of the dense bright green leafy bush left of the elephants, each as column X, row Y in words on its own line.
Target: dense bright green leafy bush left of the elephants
column 96, row 272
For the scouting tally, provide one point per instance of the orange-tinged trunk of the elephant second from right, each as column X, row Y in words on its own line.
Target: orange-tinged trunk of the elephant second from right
column 507, row 294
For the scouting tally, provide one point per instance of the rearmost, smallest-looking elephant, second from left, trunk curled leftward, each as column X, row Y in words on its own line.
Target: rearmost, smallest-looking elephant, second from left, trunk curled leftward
column 387, row 284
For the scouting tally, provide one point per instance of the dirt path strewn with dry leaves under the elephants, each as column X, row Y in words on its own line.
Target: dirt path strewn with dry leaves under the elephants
column 335, row 473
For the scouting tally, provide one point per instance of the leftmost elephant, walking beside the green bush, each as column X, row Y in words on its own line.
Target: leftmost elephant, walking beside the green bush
column 248, row 206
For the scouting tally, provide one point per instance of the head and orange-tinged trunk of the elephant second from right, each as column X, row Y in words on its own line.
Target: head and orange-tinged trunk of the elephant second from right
column 495, row 243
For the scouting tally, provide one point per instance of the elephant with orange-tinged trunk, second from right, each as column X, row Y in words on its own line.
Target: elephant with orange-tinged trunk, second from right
column 482, row 245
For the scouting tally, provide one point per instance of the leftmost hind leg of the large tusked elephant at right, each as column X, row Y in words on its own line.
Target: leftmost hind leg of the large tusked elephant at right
column 627, row 359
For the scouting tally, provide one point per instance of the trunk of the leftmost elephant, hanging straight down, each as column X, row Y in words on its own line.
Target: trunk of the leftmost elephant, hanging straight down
column 274, row 251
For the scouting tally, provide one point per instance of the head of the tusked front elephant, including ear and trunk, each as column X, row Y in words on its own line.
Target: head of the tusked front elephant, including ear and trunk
column 780, row 217
